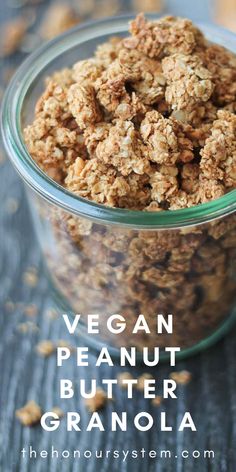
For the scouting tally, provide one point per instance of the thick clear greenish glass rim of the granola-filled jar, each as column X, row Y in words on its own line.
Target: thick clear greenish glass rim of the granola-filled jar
column 50, row 190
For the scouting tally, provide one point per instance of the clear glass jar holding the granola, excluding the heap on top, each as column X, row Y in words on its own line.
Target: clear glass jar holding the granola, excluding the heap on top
column 106, row 260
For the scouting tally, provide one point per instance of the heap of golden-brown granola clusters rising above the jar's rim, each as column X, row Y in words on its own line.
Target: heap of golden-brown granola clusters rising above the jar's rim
column 148, row 123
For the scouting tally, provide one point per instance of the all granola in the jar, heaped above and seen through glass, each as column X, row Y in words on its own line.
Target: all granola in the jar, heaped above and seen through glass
column 147, row 124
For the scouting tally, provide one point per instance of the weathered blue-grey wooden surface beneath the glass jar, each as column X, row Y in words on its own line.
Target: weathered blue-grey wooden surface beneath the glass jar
column 24, row 375
